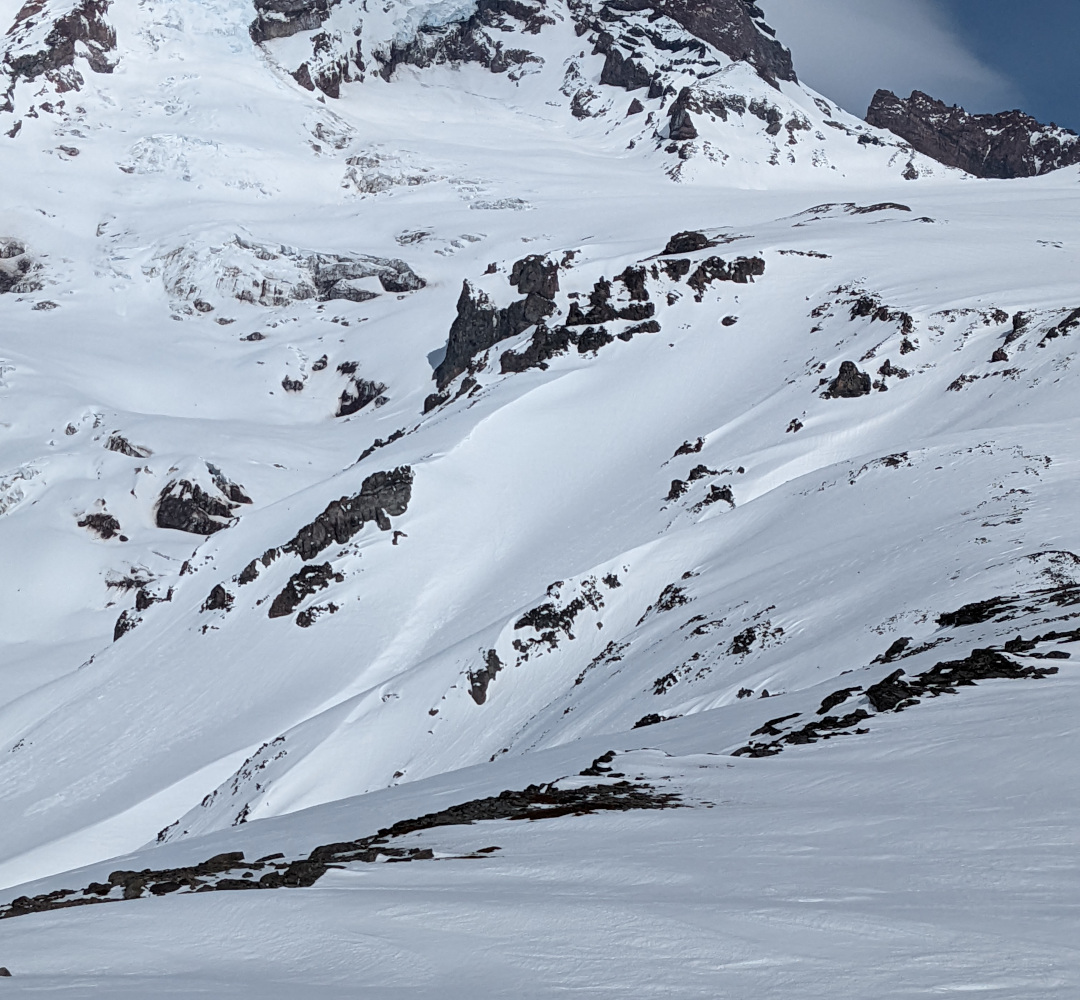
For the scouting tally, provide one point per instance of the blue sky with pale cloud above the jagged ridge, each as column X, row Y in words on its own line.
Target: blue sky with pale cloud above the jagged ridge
column 989, row 56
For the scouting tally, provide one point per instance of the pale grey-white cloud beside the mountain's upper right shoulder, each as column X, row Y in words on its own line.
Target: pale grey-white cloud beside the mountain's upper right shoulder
column 848, row 49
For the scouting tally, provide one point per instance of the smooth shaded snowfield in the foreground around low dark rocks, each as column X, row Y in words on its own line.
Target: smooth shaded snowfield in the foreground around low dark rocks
column 934, row 857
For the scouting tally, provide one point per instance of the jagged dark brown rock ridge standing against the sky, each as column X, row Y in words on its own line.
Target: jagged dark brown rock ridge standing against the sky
column 1004, row 146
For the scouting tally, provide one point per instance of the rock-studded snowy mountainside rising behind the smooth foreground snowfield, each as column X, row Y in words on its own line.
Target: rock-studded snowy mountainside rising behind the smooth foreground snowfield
column 467, row 408
